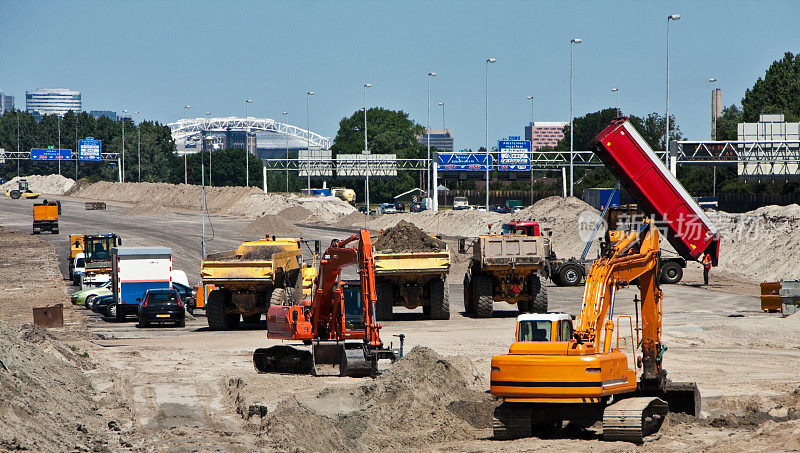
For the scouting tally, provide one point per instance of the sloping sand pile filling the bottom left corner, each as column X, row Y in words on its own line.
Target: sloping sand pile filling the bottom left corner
column 47, row 402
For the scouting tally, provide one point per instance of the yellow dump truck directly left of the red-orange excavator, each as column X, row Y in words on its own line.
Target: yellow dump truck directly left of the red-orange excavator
column 249, row 279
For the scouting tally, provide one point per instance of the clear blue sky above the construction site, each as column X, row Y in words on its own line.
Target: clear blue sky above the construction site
column 157, row 56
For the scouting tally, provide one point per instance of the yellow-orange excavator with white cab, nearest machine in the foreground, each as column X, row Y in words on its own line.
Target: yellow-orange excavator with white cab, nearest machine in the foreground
column 557, row 372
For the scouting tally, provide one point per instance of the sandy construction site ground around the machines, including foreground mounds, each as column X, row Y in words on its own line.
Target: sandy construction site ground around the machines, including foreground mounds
column 194, row 389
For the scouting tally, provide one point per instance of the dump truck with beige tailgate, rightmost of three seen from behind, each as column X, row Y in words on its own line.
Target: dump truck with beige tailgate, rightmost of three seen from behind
column 507, row 267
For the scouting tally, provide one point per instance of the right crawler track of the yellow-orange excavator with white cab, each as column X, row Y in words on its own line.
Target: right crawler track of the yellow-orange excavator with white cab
column 633, row 419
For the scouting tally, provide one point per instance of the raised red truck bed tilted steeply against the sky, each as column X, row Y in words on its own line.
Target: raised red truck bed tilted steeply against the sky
column 658, row 192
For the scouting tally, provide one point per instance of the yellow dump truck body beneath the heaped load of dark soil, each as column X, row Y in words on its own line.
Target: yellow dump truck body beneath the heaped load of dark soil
column 412, row 280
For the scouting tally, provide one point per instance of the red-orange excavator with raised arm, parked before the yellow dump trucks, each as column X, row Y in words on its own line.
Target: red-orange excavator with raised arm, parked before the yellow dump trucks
column 338, row 322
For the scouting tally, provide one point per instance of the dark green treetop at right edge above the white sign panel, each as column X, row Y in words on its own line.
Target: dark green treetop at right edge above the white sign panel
column 777, row 92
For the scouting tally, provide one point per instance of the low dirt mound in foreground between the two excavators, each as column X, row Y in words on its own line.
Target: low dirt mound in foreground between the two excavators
column 423, row 399
